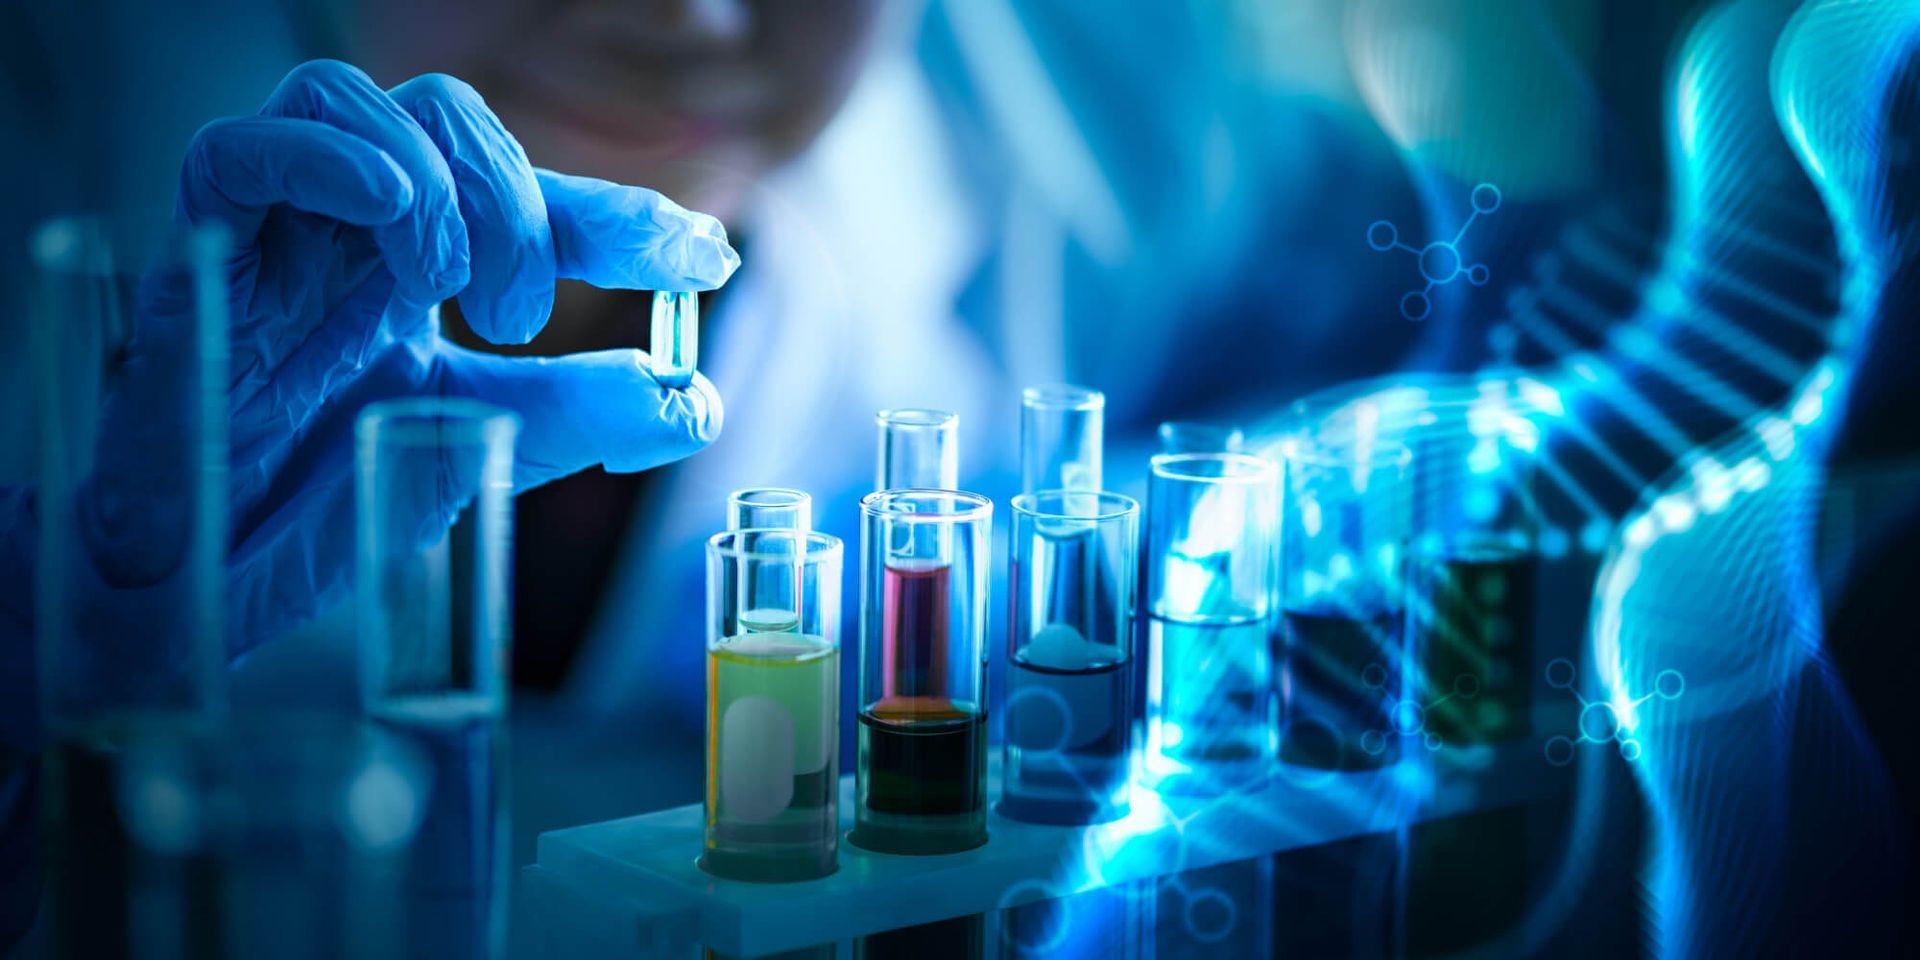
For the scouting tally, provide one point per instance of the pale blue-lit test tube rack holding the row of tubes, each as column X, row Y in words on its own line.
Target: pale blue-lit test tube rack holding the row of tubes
column 631, row 888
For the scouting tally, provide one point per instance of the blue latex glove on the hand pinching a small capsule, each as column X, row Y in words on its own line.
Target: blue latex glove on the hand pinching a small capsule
column 354, row 214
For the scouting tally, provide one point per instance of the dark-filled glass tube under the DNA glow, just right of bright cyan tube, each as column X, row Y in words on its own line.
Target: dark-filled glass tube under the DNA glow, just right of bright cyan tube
column 1343, row 598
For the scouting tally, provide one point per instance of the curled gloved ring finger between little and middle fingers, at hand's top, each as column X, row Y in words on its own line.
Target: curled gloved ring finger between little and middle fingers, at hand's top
column 427, row 247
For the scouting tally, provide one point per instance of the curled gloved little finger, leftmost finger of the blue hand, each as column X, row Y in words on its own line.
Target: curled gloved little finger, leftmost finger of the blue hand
column 239, row 168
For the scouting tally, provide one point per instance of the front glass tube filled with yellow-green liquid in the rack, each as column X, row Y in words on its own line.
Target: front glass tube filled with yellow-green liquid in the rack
column 773, row 706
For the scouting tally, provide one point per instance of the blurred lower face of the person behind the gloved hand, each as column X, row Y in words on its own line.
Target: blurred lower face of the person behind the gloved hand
column 696, row 99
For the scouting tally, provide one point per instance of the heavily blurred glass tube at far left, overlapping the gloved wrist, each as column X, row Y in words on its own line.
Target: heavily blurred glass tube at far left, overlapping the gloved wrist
column 130, row 579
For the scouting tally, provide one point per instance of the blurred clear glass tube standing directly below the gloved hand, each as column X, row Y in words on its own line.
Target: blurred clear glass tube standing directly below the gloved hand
column 433, row 644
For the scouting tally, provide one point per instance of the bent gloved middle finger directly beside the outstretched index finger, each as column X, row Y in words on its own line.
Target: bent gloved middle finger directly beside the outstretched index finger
column 512, row 291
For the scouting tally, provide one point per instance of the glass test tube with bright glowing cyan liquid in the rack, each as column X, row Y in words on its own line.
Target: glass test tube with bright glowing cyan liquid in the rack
column 1211, row 581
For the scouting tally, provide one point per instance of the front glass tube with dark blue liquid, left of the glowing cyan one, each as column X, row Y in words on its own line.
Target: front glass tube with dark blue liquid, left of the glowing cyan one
column 1070, row 644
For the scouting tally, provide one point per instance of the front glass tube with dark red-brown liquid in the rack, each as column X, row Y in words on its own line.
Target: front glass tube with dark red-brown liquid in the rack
column 923, row 775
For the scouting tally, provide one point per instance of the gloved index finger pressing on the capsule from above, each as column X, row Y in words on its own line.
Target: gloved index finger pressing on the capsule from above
column 633, row 239
